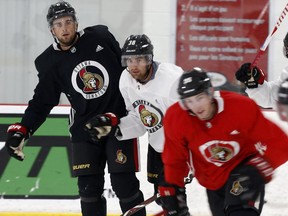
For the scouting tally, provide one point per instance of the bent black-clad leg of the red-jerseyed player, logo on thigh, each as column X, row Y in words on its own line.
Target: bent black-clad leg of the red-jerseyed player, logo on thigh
column 244, row 192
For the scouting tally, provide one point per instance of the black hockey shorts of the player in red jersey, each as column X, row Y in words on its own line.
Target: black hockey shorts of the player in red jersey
column 244, row 189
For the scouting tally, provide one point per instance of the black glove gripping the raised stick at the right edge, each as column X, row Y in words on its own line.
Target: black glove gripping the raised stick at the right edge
column 250, row 77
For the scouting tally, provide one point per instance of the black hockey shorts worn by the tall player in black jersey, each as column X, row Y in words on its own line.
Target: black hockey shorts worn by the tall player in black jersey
column 90, row 158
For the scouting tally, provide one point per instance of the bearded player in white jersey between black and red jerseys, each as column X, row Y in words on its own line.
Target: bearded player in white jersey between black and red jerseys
column 148, row 88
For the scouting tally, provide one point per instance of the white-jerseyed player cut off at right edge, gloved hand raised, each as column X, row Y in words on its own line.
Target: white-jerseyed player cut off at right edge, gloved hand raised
column 260, row 90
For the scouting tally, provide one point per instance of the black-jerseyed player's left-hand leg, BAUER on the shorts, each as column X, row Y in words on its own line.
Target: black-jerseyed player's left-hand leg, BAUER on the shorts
column 89, row 162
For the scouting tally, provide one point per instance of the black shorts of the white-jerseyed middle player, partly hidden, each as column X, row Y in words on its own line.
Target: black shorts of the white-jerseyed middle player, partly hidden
column 155, row 168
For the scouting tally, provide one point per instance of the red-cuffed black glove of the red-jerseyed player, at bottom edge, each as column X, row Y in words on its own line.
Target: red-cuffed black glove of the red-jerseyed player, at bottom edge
column 173, row 200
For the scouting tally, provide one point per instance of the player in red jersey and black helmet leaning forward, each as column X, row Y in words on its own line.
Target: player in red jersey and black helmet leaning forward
column 224, row 136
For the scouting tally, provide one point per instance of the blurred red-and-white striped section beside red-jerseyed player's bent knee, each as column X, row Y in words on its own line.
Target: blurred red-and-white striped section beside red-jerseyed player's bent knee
column 265, row 169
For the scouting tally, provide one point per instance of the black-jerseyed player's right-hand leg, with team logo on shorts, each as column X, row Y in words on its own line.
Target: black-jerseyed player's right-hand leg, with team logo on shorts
column 123, row 162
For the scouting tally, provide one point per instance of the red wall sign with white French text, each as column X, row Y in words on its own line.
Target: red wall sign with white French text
column 220, row 35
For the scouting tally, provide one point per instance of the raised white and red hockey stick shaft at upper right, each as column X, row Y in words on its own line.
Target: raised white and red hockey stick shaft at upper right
column 269, row 37
